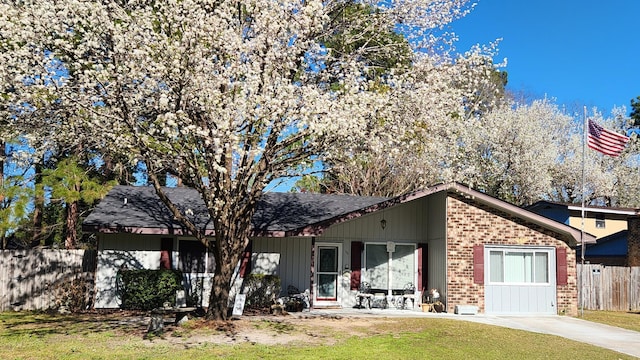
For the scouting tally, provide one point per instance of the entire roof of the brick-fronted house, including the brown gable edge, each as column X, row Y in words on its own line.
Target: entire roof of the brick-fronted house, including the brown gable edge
column 135, row 209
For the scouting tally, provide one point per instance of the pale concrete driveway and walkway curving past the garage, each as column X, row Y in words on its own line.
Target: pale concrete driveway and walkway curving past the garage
column 605, row 336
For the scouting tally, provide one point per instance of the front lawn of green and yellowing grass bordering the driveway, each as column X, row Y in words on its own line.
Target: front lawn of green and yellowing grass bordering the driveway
column 27, row 335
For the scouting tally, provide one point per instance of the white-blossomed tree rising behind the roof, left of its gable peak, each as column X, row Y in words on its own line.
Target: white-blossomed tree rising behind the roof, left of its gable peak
column 422, row 137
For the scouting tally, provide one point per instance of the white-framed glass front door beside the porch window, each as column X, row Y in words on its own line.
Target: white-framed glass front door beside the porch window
column 328, row 263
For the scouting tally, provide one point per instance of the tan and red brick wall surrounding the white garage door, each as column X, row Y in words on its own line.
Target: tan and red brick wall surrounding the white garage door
column 470, row 224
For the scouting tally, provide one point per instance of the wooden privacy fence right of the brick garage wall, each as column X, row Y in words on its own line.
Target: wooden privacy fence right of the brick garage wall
column 613, row 288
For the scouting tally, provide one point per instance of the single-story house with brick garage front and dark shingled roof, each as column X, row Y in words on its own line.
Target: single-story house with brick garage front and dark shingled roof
column 475, row 249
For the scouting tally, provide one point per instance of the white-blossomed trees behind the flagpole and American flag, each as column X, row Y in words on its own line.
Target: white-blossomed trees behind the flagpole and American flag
column 528, row 152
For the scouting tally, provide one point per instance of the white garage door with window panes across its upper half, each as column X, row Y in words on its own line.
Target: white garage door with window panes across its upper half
column 521, row 280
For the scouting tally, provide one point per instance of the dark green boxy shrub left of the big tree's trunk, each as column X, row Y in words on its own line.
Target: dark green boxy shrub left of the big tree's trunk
column 148, row 289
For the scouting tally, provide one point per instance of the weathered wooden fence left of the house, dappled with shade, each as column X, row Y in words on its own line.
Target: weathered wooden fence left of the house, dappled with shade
column 41, row 279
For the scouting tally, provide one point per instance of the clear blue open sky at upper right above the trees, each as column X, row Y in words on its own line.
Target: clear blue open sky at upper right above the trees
column 580, row 52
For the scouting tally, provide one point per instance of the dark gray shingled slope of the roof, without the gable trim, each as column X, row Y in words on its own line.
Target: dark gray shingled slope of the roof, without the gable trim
column 138, row 209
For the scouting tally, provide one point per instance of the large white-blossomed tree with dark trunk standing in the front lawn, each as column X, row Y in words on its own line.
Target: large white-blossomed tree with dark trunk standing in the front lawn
column 226, row 95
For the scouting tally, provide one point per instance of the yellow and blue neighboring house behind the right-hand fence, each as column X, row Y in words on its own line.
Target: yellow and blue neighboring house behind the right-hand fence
column 609, row 225
